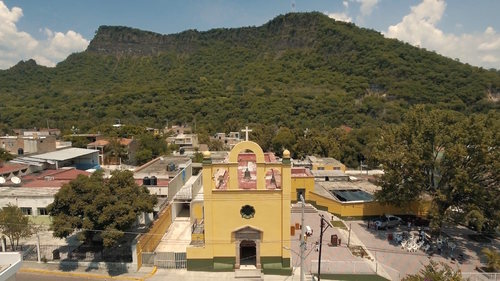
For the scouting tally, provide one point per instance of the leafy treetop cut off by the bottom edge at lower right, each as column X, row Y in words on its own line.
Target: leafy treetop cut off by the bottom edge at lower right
column 436, row 272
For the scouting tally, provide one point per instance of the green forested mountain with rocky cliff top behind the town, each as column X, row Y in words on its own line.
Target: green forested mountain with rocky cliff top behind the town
column 300, row 70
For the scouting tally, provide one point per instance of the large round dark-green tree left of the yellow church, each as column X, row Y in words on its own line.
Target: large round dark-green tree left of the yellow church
column 95, row 205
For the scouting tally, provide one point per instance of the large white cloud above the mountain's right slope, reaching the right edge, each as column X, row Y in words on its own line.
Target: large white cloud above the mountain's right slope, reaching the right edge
column 419, row 28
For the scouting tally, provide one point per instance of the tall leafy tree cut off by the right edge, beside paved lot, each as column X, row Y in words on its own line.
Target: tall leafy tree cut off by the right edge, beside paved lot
column 469, row 177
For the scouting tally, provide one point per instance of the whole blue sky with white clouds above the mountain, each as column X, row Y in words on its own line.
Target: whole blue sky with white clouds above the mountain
column 48, row 31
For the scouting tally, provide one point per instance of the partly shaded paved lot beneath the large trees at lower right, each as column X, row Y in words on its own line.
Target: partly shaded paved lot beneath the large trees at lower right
column 464, row 252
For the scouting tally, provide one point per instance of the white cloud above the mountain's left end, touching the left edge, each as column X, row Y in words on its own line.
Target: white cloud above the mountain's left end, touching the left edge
column 16, row 45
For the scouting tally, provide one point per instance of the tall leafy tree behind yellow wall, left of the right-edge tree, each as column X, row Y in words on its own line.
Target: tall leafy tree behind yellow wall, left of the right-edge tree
column 409, row 154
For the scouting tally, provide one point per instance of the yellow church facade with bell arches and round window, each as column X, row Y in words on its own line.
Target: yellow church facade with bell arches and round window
column 243, row 216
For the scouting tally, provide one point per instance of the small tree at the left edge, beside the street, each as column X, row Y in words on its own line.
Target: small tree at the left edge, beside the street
column 14, row 224
